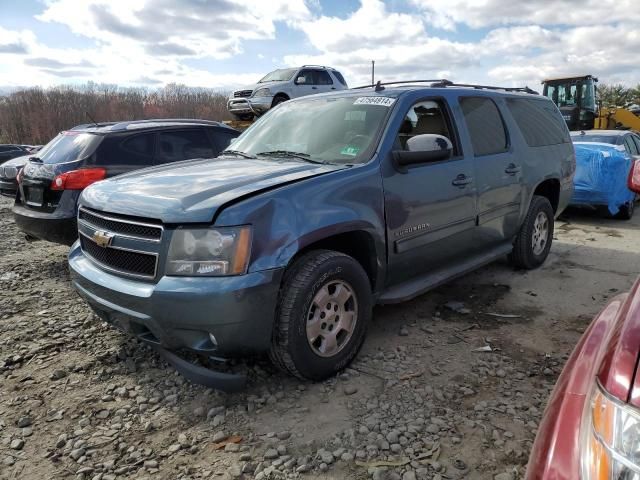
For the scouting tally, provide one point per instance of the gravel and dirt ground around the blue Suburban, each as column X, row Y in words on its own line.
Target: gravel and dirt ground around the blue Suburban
column 450, row 385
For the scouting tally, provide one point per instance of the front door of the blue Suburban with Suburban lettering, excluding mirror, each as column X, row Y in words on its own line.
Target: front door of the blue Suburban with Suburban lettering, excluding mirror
column 430, row 208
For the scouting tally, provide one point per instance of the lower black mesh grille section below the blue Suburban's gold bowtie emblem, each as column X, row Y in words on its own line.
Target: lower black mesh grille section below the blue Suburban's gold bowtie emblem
column 121, row 261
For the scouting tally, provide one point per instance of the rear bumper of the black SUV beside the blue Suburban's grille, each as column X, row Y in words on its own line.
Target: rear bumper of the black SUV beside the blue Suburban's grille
column 58, row 227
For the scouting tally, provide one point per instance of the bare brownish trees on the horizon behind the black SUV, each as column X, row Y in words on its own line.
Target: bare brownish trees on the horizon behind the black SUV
column 35, row 115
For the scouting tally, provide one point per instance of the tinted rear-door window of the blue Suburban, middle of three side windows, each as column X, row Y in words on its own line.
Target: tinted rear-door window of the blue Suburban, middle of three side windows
column 485, row 125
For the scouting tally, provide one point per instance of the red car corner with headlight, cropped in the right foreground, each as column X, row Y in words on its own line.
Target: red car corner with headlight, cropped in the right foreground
column 591, row 427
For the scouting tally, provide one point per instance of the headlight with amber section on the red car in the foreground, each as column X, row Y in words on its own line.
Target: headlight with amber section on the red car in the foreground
column 610, row 439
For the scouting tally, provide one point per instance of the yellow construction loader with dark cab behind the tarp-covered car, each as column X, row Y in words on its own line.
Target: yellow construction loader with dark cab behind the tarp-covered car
column 577, row 99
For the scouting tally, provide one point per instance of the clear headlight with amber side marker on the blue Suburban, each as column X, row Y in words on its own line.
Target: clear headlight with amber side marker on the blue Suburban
column 210, row 252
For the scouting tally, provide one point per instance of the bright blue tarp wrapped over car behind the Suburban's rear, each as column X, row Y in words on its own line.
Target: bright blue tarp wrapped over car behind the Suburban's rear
column 602, row 171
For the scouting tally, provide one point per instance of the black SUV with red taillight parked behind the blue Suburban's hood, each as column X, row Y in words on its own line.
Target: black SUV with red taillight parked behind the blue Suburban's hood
column 51, row 182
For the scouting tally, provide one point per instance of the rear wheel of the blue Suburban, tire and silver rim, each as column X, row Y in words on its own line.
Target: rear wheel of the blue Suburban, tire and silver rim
column 529, row 251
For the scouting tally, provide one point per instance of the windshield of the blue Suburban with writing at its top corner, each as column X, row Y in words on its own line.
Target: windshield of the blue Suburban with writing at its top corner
column 331, row 130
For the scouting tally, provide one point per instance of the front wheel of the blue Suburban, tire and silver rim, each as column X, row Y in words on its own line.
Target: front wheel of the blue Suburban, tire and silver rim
column 306, row 284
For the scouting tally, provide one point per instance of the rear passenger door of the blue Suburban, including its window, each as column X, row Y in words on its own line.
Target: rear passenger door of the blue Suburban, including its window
column 498, row 171
